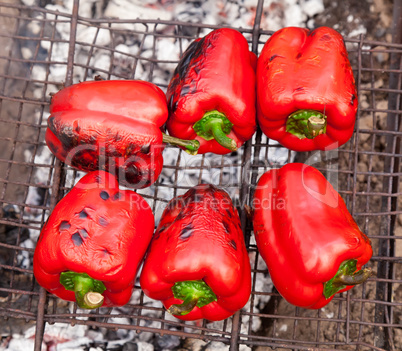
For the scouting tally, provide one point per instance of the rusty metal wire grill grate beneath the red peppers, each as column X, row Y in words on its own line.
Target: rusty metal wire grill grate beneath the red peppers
column 355, row 185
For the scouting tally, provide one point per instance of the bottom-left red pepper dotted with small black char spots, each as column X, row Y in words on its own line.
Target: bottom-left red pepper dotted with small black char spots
column 92, row 244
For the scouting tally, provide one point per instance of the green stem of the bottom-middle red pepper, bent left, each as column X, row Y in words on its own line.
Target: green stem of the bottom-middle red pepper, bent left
column 193, row 293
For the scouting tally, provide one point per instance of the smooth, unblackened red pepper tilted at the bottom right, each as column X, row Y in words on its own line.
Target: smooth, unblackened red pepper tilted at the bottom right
column 312, row 246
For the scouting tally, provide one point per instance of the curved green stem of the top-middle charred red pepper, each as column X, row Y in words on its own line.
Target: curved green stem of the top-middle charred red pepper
column 215, row 125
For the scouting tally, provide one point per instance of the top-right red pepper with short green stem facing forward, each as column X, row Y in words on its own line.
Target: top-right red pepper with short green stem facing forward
column 306, row 93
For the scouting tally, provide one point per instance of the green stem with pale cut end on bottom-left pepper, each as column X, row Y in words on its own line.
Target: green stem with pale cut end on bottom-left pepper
column 88, row 291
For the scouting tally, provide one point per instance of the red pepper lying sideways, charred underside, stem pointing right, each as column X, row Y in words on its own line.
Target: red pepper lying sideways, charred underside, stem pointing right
column 113, row 126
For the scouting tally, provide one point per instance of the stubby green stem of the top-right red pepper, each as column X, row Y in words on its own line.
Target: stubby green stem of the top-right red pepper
column 306, row 124
